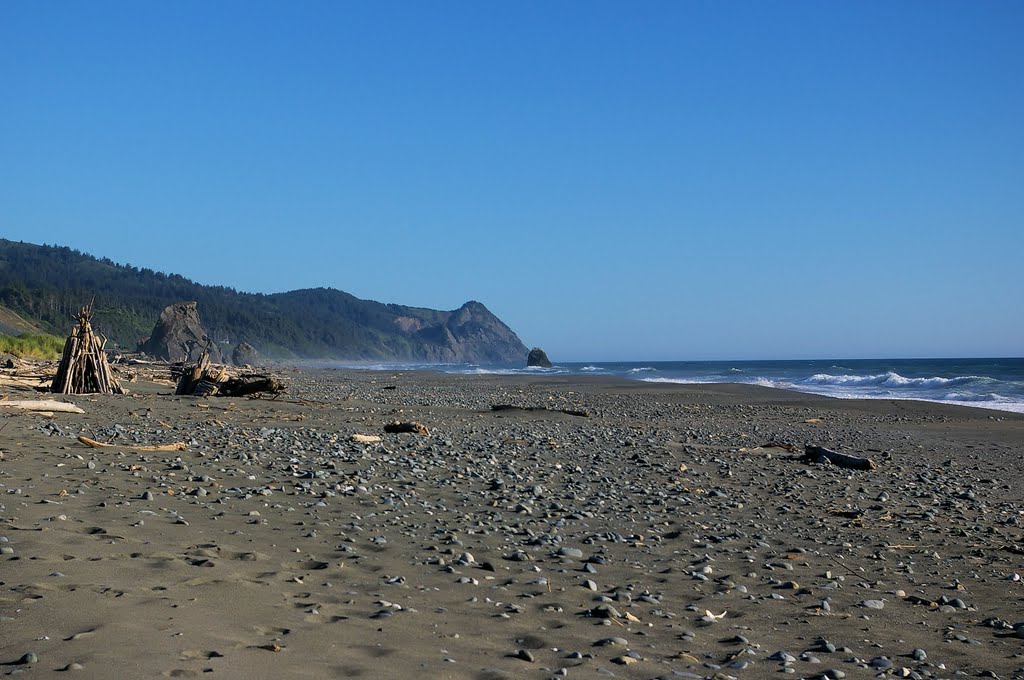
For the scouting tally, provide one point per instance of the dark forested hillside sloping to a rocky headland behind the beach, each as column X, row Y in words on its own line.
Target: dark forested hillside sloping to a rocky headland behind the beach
column 48, row 285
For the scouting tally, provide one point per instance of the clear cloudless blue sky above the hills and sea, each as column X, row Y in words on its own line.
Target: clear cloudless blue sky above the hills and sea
column 654, row 181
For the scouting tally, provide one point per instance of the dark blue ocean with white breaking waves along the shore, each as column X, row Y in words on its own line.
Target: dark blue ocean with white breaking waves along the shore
column 986, row 384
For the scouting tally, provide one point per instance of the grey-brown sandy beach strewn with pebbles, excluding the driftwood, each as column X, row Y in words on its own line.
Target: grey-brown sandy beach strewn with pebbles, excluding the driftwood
column 602, row 529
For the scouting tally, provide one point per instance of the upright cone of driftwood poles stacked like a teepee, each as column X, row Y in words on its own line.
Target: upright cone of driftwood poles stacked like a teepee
column 83, row 367
